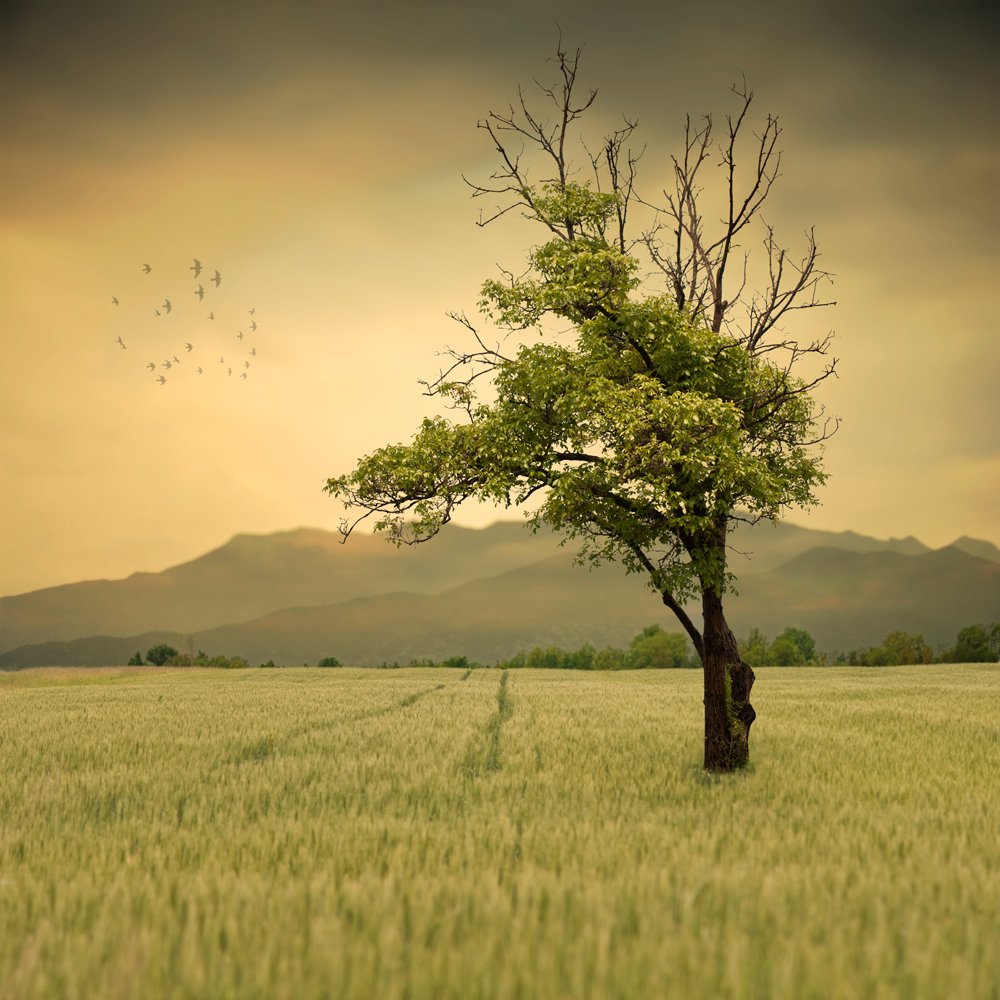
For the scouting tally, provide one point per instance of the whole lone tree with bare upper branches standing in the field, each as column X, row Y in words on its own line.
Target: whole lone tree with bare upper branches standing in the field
column 666, row 406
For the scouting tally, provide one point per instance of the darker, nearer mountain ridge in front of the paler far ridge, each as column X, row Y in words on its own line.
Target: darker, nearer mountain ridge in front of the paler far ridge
column 845, row 599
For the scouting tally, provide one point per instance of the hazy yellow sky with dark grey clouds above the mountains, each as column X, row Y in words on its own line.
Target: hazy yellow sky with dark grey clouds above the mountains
column 313, row 155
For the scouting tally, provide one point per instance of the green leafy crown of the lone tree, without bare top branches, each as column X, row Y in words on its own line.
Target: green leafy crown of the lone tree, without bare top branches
column 641, row 434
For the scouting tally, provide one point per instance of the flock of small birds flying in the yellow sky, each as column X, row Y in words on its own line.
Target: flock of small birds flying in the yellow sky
column 200, row 345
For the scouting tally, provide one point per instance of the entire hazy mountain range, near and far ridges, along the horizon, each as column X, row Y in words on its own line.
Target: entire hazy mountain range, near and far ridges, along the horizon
column 296, row 596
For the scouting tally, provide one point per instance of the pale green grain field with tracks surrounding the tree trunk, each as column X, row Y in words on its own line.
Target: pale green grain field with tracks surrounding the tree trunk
column 421, row 833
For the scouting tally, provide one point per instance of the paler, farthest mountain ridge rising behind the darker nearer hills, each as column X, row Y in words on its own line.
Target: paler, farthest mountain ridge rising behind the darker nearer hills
column 253, row 575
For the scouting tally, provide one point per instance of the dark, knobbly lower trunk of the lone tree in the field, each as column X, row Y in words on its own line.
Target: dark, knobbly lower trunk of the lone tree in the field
column 728, row 680
